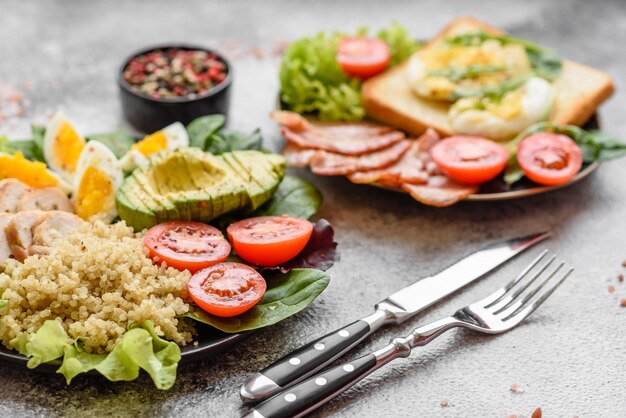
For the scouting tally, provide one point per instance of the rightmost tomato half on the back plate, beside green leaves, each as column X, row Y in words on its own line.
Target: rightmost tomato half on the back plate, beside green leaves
column 549, row 158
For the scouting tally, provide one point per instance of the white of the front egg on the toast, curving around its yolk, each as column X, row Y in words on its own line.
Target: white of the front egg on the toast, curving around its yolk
column 537, row 98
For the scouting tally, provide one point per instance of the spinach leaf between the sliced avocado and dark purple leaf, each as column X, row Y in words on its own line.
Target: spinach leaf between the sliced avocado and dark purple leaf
column 294, row 197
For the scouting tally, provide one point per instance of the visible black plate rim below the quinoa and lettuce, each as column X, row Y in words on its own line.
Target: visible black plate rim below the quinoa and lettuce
column 210, row 342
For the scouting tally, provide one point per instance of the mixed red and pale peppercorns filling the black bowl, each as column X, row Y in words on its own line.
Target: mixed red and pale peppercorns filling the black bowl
column 175, row 73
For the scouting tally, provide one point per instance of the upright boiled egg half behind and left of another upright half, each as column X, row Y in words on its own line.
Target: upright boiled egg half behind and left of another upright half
column 62, row 146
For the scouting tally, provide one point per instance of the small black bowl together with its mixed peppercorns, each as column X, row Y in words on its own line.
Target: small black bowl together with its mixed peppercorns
column 173, row 83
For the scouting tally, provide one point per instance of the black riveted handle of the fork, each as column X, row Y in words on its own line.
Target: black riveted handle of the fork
column 315, row 391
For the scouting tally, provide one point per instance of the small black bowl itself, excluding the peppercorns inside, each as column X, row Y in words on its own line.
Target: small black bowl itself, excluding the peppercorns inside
column 148, row 114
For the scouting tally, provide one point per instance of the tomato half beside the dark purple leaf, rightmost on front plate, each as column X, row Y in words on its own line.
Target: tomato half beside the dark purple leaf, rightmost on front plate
column 269, row 240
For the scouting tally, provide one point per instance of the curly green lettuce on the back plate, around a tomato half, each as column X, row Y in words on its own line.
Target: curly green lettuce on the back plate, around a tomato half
column 313, row 82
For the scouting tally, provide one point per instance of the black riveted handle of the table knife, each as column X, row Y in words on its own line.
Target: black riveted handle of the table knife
column 316, row 354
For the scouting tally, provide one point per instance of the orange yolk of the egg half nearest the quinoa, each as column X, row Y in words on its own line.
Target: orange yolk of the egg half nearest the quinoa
column 95, row 193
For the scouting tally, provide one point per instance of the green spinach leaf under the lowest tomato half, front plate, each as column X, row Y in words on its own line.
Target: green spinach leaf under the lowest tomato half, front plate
column 286, row 295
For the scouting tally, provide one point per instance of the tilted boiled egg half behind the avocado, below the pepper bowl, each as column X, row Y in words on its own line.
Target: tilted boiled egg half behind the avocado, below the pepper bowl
column 170, row 138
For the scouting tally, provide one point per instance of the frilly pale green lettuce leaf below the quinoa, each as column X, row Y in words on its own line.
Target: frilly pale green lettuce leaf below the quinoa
column 140, row 348
